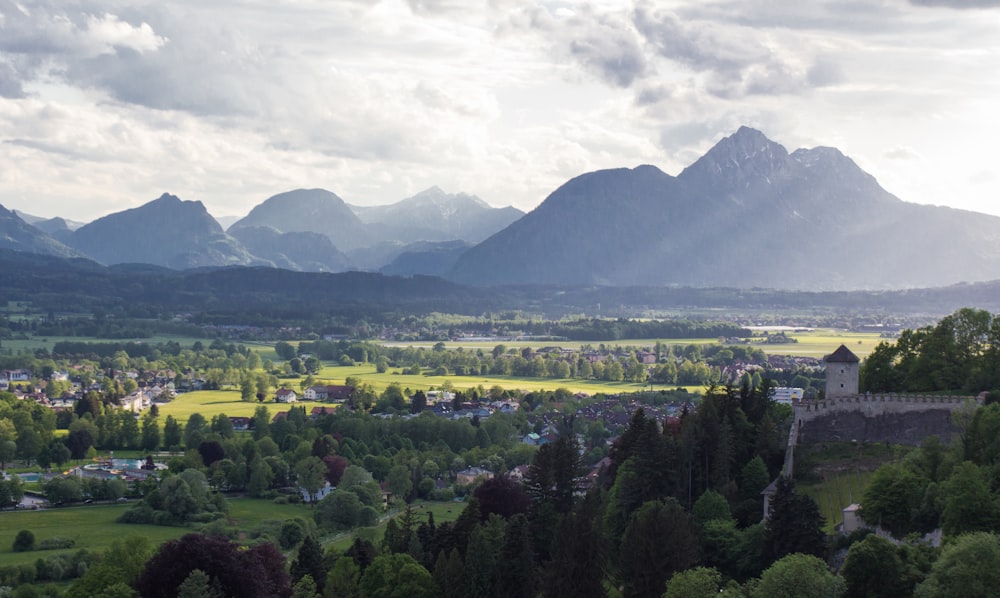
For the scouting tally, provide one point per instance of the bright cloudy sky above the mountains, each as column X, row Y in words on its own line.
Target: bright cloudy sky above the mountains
column 105, row 105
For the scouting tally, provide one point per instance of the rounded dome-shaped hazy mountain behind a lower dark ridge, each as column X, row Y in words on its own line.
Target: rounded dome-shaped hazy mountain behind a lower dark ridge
column 309, row 210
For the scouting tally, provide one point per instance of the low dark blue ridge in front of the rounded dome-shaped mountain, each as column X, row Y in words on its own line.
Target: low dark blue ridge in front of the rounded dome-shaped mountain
column 302, row 251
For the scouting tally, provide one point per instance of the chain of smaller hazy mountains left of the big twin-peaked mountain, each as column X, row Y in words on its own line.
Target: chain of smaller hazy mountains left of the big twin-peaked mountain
column 302, row 230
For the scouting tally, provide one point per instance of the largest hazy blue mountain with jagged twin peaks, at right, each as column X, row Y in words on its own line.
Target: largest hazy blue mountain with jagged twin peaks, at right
column 747, row 214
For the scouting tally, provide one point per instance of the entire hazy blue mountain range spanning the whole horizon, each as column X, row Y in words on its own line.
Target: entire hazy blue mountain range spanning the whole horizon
column 746, row 214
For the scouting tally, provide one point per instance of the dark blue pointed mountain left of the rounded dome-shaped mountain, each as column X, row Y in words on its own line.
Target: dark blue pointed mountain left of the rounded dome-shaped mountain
column 165, row 232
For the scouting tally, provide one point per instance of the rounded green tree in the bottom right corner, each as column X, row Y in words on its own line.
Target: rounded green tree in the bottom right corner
column 969, row 567
